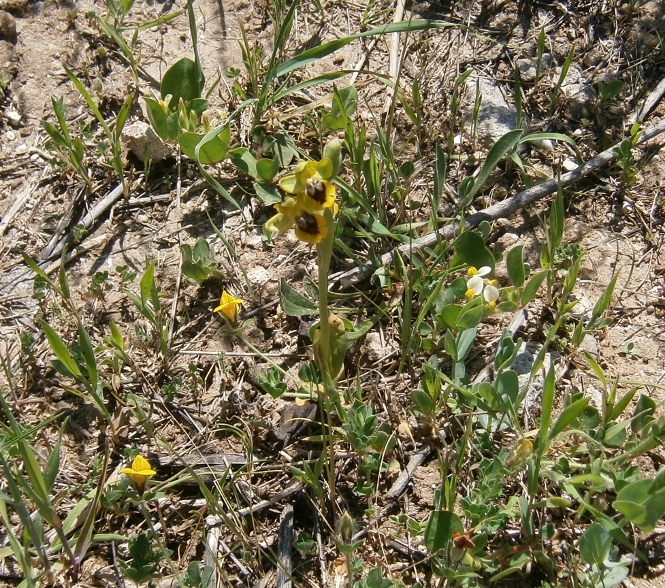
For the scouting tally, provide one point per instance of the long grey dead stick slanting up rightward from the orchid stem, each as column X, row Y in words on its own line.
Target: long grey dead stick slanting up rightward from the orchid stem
column 499, row 210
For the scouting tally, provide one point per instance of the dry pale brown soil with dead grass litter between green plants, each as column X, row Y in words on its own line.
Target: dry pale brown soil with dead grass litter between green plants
column 218, row 406
